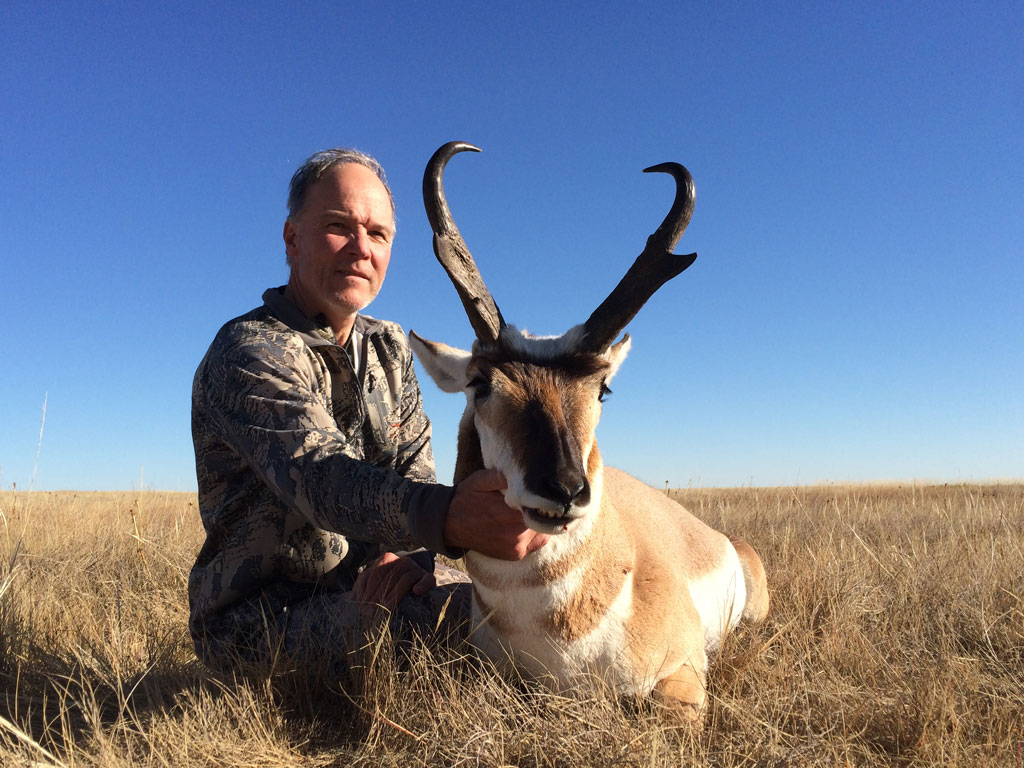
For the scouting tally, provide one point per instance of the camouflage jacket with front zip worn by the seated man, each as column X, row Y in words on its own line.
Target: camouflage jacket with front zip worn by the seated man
column 305, row 473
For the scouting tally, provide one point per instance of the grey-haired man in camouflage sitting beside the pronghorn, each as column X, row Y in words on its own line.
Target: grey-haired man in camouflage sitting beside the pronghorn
column 313, row 452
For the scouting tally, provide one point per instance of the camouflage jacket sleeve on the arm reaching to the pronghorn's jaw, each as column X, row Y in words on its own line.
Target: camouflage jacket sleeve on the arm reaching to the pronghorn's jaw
column 262, row 396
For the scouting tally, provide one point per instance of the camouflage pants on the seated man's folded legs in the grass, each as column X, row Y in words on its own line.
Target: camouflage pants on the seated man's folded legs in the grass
column 322, row 631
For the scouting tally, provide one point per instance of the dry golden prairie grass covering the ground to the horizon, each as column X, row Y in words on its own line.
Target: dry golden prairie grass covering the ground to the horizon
column 897, row 637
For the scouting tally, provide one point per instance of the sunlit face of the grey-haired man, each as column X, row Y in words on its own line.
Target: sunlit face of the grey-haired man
column 339, row 245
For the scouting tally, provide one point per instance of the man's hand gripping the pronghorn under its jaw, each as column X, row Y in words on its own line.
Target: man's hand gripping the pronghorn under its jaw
column 479, row 520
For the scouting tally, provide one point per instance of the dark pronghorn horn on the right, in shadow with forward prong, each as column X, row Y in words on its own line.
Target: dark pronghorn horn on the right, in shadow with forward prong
column 656, row 267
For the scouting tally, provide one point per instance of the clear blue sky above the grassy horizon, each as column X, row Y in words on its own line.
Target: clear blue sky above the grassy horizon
column 857, row 312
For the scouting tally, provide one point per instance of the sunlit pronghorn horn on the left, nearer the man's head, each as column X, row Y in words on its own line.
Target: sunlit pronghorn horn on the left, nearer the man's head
column 452, row 251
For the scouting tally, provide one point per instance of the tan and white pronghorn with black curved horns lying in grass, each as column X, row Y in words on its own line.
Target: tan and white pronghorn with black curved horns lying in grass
column 633, row 587
